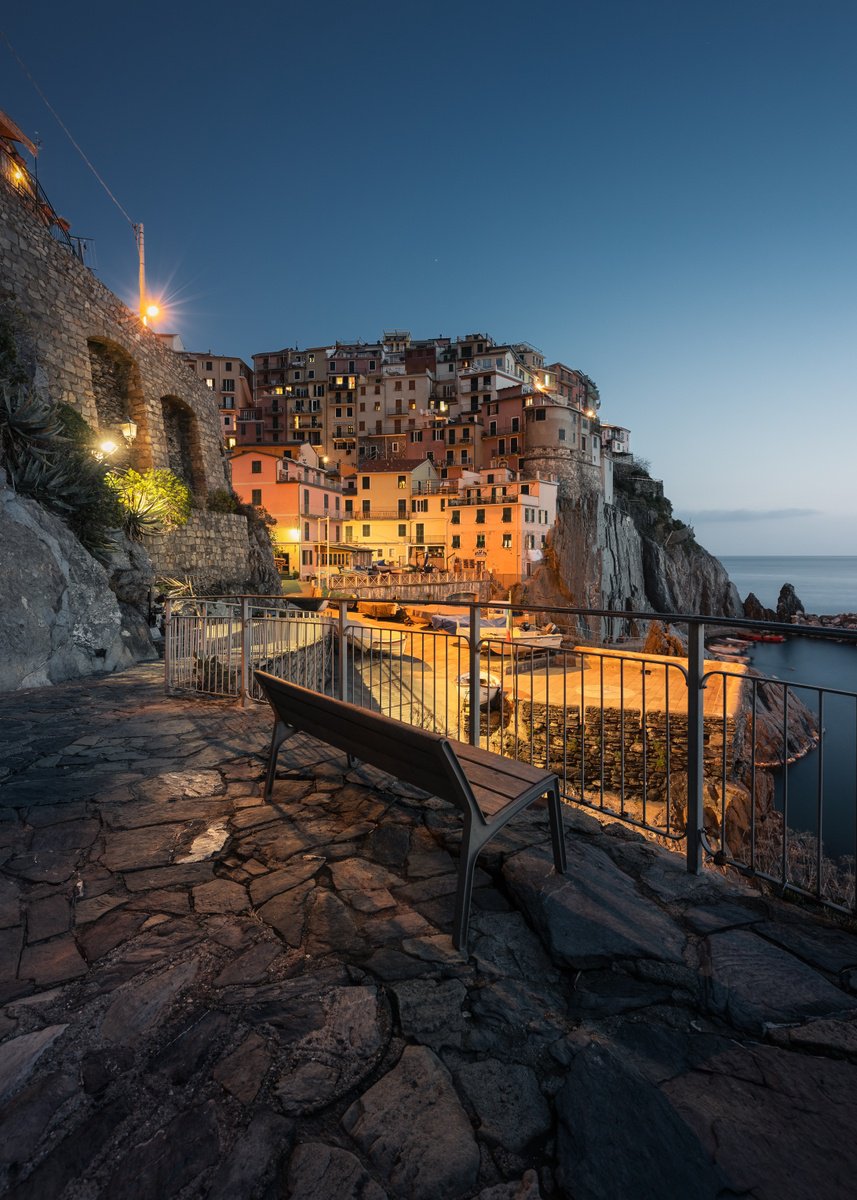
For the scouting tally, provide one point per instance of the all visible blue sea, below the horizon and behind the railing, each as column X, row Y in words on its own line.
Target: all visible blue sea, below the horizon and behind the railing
column 824, row 585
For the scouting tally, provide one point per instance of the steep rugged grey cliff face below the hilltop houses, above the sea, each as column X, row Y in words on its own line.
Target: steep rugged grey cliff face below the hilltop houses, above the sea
column 630, row 556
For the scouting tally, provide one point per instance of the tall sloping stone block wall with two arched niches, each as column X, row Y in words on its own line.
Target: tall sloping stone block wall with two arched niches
column 95, row 355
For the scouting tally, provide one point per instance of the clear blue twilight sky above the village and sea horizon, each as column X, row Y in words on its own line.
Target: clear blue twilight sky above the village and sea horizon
column 661, row 194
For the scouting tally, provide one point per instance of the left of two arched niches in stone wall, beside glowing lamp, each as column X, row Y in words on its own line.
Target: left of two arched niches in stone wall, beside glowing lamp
column 119, row 403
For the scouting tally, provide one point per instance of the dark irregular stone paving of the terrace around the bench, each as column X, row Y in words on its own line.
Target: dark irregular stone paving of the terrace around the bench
column 207, row 997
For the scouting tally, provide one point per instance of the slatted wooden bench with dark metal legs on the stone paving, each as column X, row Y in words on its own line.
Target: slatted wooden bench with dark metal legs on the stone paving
column 488, row 789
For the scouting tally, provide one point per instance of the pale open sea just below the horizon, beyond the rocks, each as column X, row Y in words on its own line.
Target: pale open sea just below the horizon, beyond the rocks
column 824, row 585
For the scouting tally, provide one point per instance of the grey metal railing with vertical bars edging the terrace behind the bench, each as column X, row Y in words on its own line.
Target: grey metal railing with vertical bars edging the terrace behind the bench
column 735, row 767
